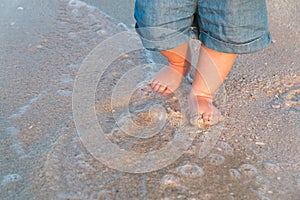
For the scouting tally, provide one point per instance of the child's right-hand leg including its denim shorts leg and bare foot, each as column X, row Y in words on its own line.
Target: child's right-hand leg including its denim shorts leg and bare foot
column 236, row 27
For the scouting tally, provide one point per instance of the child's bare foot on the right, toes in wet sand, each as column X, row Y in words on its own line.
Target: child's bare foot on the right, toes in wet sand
column 202, row 111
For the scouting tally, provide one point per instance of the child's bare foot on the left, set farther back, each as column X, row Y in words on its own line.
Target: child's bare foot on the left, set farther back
column 168, row 79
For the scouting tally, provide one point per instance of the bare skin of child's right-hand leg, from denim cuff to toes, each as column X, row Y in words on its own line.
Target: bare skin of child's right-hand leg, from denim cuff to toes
column 212, row 69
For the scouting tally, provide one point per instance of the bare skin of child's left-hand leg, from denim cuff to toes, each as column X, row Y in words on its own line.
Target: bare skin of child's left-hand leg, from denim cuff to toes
column 168, row 79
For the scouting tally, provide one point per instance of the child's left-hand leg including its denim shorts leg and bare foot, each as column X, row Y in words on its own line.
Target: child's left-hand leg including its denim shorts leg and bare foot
column 164, row 26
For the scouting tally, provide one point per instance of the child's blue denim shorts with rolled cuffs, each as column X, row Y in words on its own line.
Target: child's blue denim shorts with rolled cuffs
column 230, row 26
